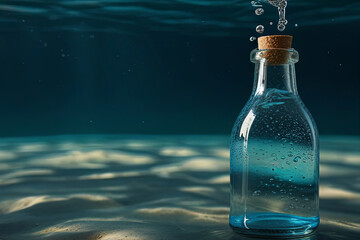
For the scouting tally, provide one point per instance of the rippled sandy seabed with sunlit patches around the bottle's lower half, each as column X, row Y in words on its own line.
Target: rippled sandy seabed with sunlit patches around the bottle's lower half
column 147, row 187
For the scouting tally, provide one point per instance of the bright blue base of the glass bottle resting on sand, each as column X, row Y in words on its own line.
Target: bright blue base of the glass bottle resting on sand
column 274, row 225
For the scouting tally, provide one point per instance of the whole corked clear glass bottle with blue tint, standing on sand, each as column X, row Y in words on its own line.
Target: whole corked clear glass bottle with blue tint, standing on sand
column 274, row 155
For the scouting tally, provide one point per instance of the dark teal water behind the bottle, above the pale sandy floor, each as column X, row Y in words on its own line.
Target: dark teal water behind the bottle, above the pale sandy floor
column 73, row 67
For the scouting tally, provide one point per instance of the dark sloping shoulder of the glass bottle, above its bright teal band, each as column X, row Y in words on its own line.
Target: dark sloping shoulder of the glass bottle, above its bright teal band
column 275, row 113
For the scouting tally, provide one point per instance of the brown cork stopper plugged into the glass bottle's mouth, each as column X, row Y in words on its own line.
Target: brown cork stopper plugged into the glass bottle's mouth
column 276, row 47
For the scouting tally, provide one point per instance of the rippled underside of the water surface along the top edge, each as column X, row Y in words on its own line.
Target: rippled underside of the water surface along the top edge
column 205, row 17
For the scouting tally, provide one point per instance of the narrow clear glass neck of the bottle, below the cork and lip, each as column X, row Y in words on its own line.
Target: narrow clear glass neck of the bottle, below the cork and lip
column 281, row 77
